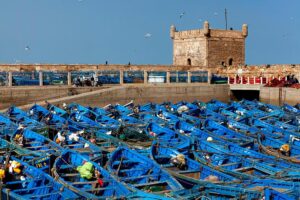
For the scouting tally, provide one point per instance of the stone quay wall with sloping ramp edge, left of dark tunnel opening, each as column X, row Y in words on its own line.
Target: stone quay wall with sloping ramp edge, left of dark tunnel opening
column 148, row 93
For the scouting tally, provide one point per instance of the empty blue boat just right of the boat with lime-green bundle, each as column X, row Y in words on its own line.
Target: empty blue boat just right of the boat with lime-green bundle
column 140, row 172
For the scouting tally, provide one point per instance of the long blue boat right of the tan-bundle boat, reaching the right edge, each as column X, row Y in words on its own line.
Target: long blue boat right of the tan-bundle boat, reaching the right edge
column 241, row 166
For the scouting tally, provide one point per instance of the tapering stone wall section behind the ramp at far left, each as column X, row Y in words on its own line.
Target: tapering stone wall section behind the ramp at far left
column 25, row 95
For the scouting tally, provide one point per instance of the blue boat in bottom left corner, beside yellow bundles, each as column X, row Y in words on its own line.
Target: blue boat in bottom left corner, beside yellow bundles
column 32, row 183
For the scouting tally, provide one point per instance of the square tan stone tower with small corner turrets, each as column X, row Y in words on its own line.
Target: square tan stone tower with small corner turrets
column 209, row 47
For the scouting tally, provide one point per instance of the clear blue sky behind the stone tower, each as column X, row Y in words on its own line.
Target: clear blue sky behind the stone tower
column 93, row 31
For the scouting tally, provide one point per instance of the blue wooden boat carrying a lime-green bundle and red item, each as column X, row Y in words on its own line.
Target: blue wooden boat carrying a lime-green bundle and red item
column 86, row 177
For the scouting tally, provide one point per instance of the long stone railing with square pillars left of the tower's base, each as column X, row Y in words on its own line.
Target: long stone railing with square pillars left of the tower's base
column 41, row 75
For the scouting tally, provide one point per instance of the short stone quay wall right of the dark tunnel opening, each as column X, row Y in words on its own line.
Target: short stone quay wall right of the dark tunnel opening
column 278, row 96
